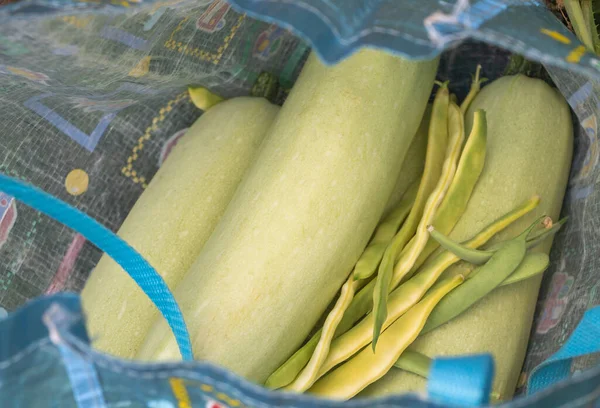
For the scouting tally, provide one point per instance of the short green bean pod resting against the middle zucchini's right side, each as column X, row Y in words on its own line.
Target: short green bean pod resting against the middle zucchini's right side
column 369, row 261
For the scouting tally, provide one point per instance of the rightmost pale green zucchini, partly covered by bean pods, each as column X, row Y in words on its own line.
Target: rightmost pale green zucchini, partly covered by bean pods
column 529, row 151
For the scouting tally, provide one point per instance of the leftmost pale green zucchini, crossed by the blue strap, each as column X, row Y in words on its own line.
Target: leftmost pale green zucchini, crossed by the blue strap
column 174, row 217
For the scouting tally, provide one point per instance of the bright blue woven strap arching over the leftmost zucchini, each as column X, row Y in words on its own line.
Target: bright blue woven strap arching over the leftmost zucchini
column 128, row 258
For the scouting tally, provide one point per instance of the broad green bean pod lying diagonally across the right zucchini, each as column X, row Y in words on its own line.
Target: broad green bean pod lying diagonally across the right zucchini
column 501, row 265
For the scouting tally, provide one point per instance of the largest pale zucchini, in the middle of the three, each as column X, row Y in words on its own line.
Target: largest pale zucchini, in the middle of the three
column 303, row 214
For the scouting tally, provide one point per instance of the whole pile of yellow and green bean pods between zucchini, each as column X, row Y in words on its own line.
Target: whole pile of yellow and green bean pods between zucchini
column 397, row 291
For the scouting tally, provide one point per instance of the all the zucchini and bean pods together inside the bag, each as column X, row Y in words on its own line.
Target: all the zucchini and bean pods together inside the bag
column 334, row 246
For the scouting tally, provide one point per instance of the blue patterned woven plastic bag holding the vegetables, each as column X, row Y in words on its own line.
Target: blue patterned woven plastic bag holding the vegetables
column 94, row 95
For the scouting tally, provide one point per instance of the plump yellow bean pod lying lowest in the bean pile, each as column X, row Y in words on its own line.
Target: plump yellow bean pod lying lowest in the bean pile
column 367, row 367
